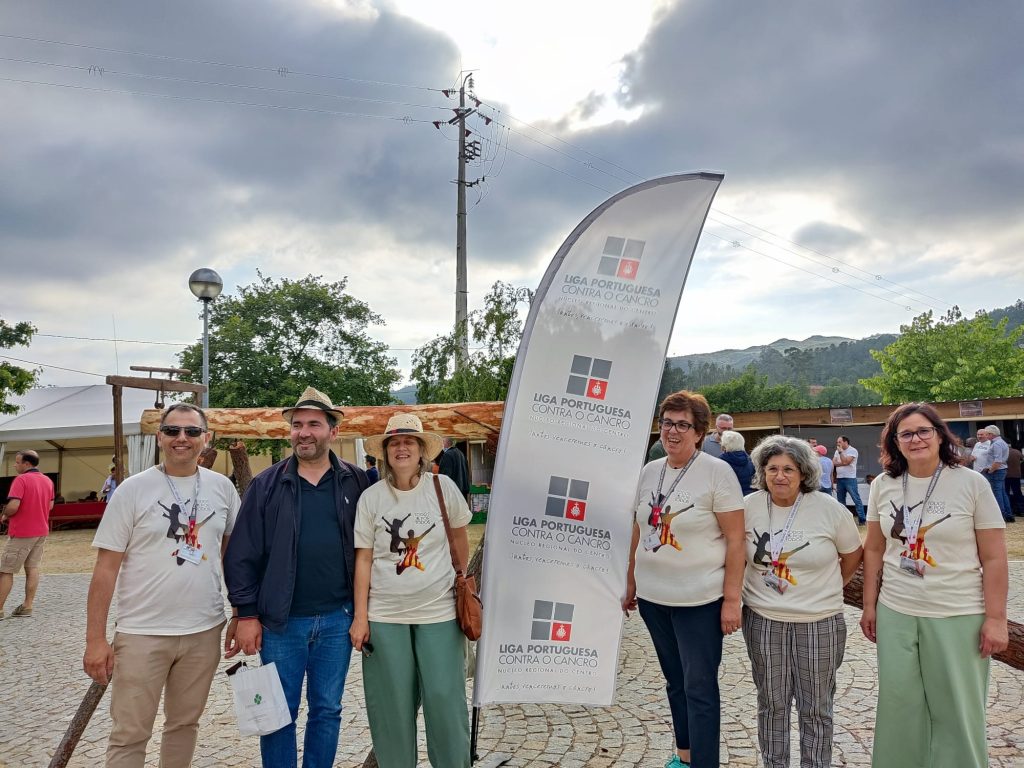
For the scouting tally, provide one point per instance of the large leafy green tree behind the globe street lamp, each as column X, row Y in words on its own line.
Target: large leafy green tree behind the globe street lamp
column 276, row 338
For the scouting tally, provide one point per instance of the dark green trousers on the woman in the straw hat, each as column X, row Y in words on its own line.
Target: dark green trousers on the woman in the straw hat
column 414, row 664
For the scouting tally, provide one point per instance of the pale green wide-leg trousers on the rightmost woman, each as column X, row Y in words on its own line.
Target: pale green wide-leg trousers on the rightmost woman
column 933, row 686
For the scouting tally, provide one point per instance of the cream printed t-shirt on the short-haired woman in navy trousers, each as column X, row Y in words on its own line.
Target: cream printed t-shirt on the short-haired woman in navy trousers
column 684, row 563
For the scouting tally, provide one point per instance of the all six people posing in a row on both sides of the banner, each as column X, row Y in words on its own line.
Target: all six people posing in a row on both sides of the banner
column 319, row 563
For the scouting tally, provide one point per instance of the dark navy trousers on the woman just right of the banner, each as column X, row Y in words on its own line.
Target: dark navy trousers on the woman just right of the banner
column 689, row 644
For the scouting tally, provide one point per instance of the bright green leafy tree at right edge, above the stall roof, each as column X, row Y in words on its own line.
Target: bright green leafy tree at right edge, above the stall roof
column 953, row 359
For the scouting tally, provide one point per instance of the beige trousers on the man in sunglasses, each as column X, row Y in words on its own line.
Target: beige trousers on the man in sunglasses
column 183, row 667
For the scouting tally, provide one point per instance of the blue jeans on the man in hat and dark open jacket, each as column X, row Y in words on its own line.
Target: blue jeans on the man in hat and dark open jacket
column 319, row 650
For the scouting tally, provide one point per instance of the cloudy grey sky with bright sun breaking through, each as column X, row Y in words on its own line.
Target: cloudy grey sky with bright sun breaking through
column 874, row 158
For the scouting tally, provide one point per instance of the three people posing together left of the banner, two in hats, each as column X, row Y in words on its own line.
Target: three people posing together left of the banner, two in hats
column 317, row 562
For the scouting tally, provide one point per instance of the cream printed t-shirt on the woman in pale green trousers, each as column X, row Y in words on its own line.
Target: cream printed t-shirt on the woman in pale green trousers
column 961, row 504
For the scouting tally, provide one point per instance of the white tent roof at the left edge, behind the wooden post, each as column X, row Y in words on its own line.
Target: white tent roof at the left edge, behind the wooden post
column 67, row 413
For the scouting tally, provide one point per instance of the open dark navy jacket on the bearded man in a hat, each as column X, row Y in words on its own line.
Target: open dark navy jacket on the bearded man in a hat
column 261, row 563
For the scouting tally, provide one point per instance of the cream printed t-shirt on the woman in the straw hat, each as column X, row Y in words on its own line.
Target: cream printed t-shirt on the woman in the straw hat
column 412, row 580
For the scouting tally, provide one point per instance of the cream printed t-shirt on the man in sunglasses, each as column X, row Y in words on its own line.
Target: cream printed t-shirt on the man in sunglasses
column 158, row 592
